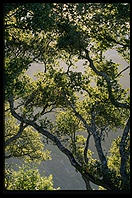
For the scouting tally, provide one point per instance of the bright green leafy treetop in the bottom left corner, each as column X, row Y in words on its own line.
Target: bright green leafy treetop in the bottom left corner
column 27, row 178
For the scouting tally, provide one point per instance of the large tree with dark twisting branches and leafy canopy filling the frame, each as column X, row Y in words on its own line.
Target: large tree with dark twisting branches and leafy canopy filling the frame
column 49, row 33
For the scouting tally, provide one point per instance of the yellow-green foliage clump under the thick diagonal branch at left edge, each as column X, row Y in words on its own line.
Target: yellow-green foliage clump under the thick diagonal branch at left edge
column 28, row 146
